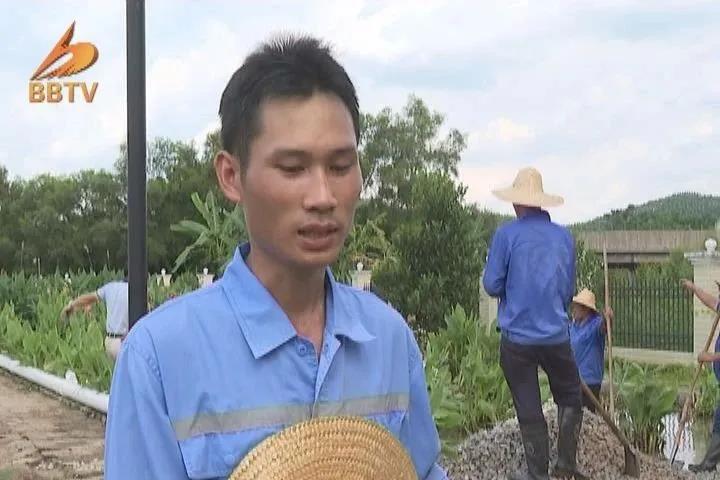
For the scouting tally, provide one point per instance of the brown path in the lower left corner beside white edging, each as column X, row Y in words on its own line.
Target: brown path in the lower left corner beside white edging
column 42, row 437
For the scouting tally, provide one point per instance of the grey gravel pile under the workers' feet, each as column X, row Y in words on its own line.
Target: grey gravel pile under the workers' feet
column 494, row 454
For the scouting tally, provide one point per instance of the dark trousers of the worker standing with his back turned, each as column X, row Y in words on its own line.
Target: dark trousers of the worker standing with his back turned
column 520, row 363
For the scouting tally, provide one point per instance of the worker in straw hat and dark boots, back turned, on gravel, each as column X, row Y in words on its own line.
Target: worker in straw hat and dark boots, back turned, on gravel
column 531, row 269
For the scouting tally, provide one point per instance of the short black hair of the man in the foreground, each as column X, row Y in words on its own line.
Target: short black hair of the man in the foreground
column 284, row 67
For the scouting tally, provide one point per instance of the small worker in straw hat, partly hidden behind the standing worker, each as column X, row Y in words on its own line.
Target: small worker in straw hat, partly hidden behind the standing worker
column 587, row 338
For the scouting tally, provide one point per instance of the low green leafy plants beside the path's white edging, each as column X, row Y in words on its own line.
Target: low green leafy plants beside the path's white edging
column 32, row 331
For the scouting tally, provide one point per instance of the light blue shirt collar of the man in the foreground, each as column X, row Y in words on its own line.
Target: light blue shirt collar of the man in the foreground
column 263, row 322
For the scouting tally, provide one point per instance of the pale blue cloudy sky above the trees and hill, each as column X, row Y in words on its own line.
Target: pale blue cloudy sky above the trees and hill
column 616, row 102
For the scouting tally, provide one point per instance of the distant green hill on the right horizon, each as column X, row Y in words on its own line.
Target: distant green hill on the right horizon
column 681, row 211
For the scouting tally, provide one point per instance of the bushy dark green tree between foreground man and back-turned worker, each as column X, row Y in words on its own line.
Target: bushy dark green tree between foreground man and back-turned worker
column 435, row 261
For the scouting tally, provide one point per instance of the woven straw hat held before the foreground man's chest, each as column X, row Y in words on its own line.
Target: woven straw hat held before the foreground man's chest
column 328, row 448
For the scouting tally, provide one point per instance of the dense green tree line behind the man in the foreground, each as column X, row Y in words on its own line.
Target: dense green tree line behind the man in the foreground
column 413, row 227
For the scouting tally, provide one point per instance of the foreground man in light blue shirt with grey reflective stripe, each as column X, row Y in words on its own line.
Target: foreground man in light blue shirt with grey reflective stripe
column 207, row 376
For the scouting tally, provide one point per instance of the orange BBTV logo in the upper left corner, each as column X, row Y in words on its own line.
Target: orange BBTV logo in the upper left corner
column 83, row 55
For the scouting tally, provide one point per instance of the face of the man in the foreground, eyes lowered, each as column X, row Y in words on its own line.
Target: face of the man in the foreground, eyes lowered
column 302, row 180
